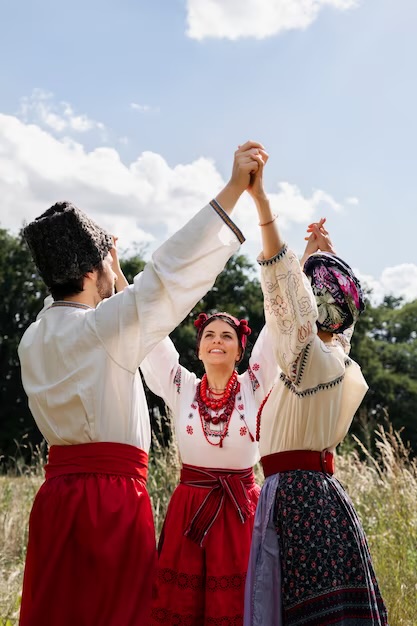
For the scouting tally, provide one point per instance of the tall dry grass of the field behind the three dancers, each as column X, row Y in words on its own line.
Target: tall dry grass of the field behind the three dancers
column 384, row 491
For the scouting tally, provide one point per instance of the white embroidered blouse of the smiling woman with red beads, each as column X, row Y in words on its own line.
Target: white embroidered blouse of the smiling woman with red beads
column 177, row 386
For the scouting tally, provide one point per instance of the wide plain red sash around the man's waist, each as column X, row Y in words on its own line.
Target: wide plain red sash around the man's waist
column 97, row 458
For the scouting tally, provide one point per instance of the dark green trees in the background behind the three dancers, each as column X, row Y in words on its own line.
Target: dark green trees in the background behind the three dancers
column 384, row 342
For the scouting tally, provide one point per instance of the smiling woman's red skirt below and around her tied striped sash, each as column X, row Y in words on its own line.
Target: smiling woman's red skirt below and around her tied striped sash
column 202, row 586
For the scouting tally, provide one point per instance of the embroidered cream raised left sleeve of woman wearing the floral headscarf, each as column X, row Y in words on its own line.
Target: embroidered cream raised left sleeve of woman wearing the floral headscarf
column 290, row 310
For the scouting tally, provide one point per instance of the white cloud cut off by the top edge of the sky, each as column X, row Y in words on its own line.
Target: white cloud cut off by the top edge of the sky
column 233, row 19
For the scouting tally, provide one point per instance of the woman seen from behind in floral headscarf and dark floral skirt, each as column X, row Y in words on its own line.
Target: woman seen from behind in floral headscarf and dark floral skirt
column 310, row 563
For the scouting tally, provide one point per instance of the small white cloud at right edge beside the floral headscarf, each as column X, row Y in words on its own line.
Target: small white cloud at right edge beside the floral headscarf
column 399, row 281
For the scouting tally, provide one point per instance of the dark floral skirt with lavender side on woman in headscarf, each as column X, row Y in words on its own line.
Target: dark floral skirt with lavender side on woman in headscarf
column 325, row 570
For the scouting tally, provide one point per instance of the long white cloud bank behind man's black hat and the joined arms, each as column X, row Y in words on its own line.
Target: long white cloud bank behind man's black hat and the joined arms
column 144, row 201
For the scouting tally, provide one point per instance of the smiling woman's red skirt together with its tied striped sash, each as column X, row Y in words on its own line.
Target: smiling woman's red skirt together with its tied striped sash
column 204, row 549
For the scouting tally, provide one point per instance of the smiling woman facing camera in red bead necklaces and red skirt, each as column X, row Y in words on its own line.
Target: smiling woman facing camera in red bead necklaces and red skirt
column 205, row 542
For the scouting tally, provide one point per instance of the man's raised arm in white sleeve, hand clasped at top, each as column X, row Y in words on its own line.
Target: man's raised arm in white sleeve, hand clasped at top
column 181, row 271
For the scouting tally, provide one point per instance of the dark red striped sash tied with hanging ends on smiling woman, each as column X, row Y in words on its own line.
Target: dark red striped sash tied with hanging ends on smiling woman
column 219, row 484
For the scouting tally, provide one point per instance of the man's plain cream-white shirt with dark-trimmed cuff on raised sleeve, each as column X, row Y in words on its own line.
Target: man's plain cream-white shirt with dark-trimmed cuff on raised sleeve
column 80, row 366
